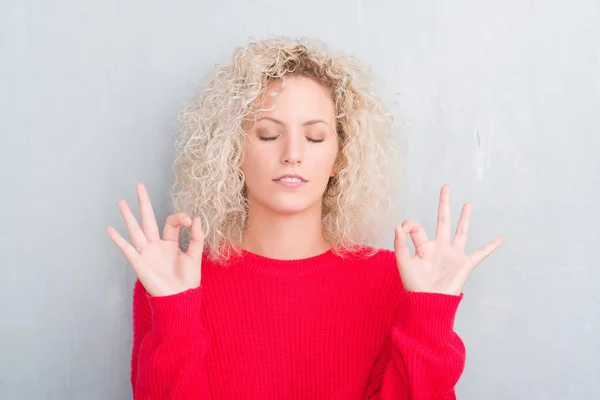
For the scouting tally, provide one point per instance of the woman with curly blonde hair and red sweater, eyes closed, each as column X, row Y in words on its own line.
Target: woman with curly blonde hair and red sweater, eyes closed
column 278, row 296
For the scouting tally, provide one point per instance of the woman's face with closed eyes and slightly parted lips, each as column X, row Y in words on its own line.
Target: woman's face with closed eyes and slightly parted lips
column 298, row 137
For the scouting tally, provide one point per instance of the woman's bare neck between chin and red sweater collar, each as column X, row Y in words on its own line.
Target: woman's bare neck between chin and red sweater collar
column 284, row 236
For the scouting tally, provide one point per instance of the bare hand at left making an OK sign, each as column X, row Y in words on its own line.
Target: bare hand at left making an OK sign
column 159, row 264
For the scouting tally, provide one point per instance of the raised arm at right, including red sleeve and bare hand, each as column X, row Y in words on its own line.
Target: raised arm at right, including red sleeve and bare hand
column 423, row 357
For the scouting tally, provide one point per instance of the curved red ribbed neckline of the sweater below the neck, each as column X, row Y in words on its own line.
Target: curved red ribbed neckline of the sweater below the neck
column 288, row 267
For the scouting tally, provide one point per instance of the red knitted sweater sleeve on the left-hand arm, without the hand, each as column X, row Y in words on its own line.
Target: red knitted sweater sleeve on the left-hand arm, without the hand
column 170, row 344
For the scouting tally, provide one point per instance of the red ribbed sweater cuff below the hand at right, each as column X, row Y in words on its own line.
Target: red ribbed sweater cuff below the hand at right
column 430, row 314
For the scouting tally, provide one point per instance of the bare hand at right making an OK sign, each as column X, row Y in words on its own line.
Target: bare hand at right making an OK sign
column 439, row 265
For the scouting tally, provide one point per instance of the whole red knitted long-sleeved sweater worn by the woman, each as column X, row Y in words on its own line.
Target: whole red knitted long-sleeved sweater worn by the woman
column 324, row 327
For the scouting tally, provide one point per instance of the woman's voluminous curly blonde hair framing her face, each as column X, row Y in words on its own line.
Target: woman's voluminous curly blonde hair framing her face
column 210, row 145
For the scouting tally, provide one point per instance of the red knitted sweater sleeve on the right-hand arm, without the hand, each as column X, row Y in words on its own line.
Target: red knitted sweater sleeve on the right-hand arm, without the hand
column 422, row 358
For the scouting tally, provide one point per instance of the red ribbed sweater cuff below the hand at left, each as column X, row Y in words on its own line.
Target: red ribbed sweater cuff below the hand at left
column 178, row 314
